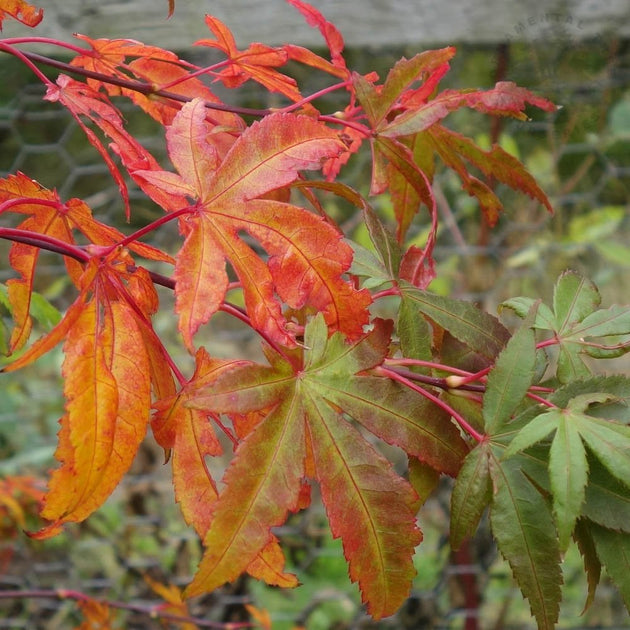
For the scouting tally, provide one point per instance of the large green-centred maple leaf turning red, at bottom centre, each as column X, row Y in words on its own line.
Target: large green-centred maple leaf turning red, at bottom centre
column 306, row 434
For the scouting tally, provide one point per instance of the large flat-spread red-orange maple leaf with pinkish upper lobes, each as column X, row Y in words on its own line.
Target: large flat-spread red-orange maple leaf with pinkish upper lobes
column 307, row 257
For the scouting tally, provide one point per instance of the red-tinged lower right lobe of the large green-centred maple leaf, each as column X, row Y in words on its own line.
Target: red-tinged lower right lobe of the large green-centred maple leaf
column 368, row 506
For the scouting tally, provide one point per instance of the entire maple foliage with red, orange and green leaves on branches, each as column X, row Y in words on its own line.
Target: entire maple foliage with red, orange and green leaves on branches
column 538, row 439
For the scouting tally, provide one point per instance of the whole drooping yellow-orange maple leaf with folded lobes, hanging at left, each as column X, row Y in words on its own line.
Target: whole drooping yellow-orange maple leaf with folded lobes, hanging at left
column 111, row 358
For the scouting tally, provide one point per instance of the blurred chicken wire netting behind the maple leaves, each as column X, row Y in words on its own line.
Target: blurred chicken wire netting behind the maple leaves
column 581, row 157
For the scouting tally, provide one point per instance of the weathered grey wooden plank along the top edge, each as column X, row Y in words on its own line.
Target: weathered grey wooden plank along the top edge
column 362, row 22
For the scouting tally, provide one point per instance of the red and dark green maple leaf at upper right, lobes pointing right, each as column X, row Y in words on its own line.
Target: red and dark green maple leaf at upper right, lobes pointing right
column 406, row 124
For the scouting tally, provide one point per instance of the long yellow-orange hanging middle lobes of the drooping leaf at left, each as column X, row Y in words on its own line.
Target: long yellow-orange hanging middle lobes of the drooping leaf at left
column 107, row 386
